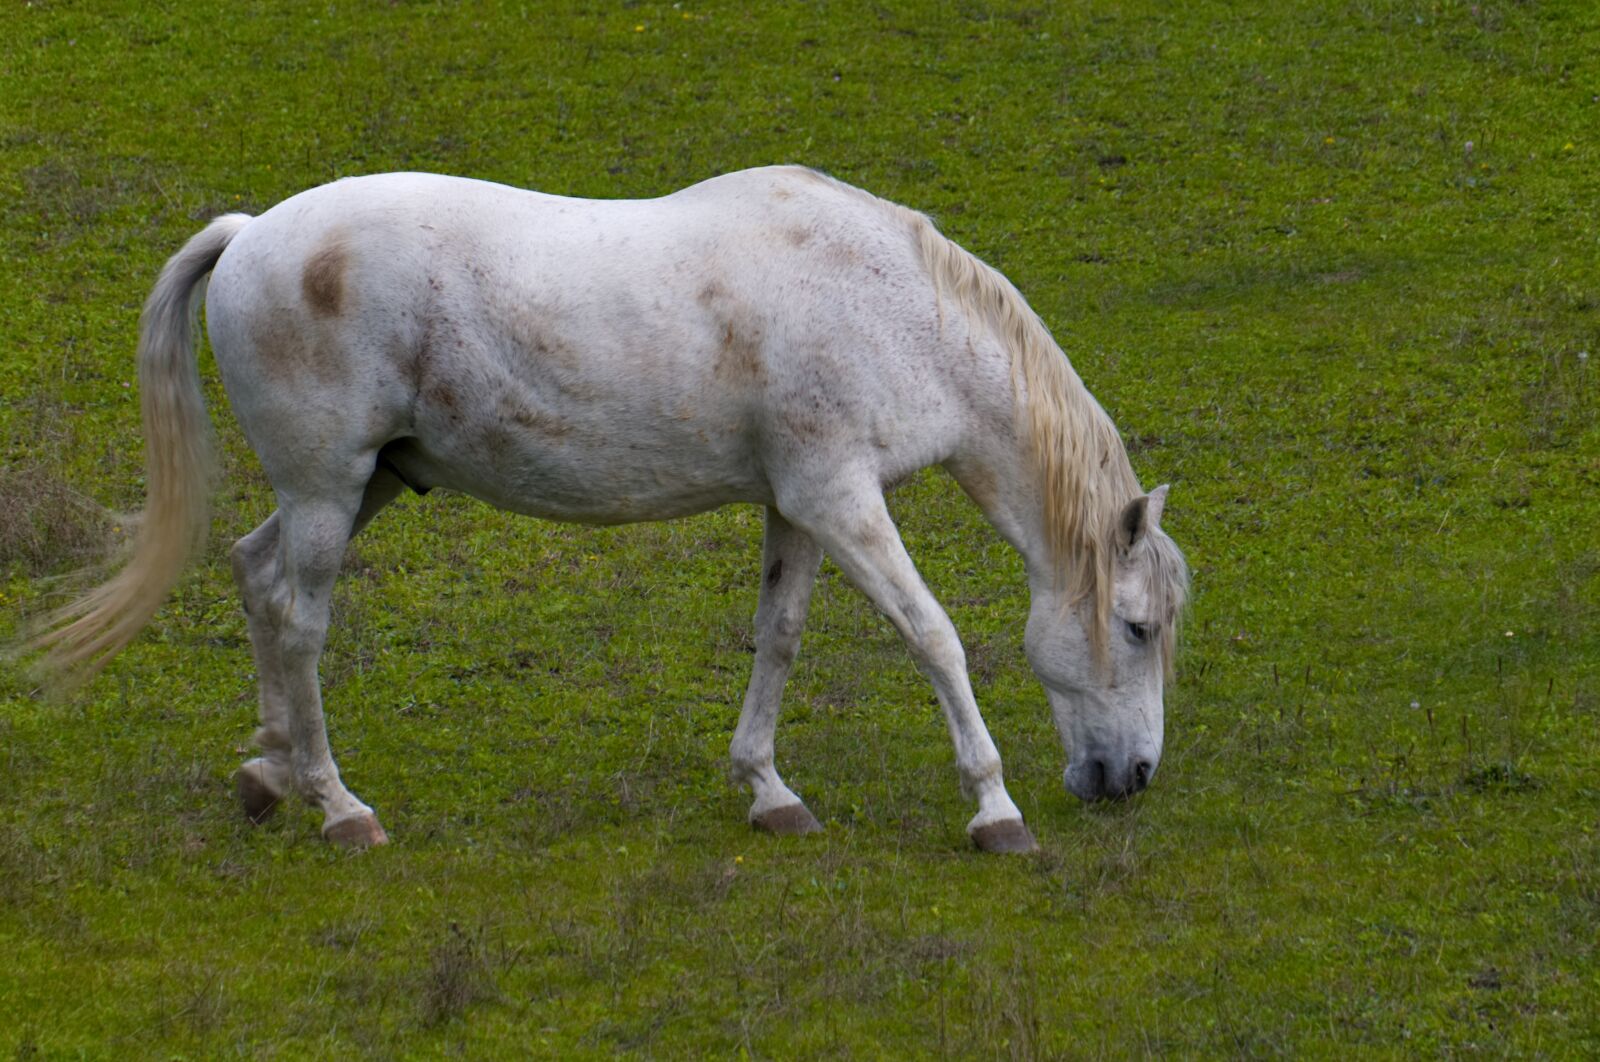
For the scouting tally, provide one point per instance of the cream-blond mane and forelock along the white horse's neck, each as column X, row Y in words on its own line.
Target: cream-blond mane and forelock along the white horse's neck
column 1084, row 471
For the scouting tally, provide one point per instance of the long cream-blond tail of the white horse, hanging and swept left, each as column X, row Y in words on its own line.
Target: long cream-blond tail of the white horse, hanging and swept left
column 82, row 637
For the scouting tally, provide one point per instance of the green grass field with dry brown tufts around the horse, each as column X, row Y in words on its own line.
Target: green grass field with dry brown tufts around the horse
column 1334, row 269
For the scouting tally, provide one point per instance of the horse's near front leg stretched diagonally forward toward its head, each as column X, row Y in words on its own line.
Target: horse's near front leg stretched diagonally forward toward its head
column 854, row 525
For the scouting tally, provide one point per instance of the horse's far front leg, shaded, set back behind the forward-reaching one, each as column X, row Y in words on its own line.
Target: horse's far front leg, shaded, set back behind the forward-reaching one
column 790, row 562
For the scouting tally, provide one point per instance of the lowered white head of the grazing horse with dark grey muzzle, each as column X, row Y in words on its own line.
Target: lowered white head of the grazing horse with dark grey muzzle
column 1108, row 706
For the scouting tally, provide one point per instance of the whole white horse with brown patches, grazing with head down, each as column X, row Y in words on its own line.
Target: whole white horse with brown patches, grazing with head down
column 769, row 337
